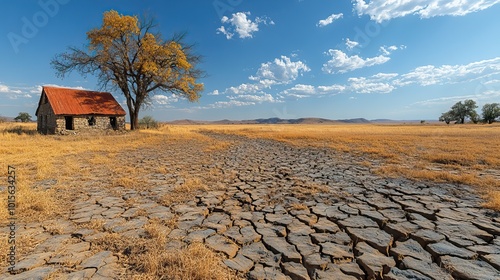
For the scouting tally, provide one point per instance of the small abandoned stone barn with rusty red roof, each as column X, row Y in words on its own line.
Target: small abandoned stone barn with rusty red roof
column 66, row 109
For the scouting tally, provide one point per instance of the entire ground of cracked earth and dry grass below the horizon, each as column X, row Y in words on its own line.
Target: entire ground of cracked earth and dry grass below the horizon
column 254, row 202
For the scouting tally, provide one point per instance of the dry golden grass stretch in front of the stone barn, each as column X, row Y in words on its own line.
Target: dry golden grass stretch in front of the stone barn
column 71, row 160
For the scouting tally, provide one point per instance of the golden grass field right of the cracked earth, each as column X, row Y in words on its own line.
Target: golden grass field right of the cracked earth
column 436, row 152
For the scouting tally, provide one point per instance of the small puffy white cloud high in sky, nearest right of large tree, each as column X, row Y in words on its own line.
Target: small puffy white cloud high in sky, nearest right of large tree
column 240, row 24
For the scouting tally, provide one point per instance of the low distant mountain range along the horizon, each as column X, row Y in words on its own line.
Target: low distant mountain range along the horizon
column 293, row 121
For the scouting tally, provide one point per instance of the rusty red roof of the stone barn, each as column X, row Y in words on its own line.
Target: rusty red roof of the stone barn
column 69, row 101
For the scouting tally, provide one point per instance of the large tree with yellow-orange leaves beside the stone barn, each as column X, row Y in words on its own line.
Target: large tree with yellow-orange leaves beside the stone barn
column 125, row 54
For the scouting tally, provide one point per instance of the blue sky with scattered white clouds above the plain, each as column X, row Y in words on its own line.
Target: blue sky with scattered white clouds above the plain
column 334, row 59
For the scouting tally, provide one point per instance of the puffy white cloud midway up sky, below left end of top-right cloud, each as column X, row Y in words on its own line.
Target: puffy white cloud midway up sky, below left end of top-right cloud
column 342, row 63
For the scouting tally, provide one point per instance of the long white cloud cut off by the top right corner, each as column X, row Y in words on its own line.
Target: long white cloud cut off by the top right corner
column 382, row 10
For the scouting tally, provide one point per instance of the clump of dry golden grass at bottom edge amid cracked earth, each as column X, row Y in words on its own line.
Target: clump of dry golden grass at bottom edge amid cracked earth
column 146, row 258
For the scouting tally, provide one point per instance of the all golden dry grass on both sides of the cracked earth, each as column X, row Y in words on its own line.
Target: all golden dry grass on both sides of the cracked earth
column 464, row 154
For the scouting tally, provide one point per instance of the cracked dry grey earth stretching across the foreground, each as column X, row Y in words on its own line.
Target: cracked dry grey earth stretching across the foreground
column 283, row 212
